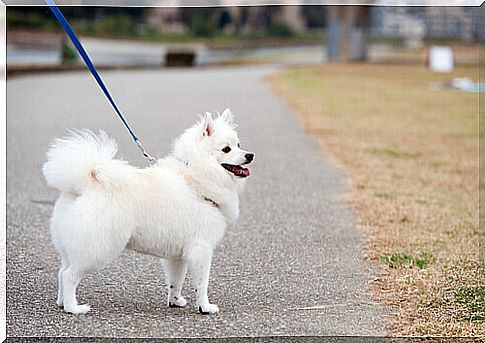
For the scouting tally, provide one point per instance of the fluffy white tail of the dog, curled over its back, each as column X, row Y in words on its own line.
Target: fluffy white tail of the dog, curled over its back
column 84, row 159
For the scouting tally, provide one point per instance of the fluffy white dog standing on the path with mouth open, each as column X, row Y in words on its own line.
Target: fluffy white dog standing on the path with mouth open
column 177, row 209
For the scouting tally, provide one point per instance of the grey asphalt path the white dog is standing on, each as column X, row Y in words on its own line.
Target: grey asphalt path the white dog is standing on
column 295, row 245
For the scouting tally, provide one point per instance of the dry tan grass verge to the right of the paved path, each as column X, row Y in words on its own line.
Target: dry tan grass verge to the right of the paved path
column 412, row 156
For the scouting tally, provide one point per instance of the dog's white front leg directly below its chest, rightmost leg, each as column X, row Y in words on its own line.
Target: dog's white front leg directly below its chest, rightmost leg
column 199, row 262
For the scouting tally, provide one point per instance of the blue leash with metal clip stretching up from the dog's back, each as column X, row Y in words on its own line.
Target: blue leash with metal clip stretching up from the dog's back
column 70, row 32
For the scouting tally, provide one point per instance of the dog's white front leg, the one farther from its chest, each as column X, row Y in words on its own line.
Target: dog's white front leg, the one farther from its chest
column 175, row 271
